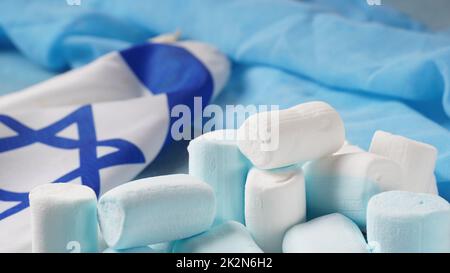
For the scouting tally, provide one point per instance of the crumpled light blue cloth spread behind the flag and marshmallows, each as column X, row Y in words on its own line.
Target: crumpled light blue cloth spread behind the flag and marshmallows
column 379, row 68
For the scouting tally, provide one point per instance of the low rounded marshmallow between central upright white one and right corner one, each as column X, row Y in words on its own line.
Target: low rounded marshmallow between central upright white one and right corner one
column 333, row 233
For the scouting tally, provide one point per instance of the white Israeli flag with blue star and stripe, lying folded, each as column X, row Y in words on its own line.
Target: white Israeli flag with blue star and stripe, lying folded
column 99, row 125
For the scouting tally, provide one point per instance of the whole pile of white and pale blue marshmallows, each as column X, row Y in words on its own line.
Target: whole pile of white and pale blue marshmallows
column 314, row 193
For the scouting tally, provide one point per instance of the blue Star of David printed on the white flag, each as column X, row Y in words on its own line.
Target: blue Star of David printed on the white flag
column 87, row 143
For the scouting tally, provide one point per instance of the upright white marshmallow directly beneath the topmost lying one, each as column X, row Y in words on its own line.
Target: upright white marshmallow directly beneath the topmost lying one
column 274, row 202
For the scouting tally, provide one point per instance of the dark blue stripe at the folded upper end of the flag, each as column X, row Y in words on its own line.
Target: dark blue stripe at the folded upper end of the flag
column 173, row 70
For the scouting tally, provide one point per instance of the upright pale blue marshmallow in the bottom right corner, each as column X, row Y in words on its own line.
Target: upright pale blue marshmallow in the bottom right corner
column 400, row 221
